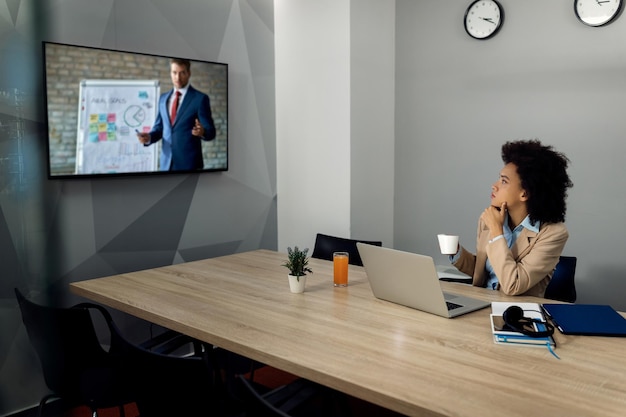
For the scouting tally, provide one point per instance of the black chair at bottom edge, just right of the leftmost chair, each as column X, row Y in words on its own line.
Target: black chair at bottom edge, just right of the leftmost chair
column 165, row 385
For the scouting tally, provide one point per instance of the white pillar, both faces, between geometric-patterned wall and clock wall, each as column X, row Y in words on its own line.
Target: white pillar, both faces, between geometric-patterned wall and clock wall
column 334, row 119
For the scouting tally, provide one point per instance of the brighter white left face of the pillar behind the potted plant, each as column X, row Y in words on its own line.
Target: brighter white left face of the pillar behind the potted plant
column 312, row 49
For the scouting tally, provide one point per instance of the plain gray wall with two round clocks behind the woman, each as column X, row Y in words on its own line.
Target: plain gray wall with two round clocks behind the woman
column 545, row 76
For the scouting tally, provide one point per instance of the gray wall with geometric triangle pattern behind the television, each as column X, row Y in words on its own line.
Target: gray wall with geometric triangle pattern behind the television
column 53, row 232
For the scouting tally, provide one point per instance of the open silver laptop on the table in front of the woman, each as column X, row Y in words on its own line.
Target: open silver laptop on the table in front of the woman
column 411, row 280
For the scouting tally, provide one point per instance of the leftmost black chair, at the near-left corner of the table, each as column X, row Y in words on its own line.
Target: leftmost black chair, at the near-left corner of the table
column 76, row 367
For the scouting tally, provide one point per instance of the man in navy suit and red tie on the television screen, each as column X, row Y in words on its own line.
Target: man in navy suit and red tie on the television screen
column 183, row 120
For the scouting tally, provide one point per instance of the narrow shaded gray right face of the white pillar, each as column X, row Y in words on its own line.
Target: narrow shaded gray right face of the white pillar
column 372, row 80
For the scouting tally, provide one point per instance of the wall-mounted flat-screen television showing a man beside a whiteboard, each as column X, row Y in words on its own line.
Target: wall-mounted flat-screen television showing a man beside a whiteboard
column 109, row 113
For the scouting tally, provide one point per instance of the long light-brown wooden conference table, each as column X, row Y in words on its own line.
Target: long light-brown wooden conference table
column 403, row 359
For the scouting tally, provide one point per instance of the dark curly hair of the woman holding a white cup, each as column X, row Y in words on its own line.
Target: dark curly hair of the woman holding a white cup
column 543, row 172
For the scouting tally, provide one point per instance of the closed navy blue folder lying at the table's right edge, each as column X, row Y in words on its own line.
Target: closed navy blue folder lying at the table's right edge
column 586, row 319
